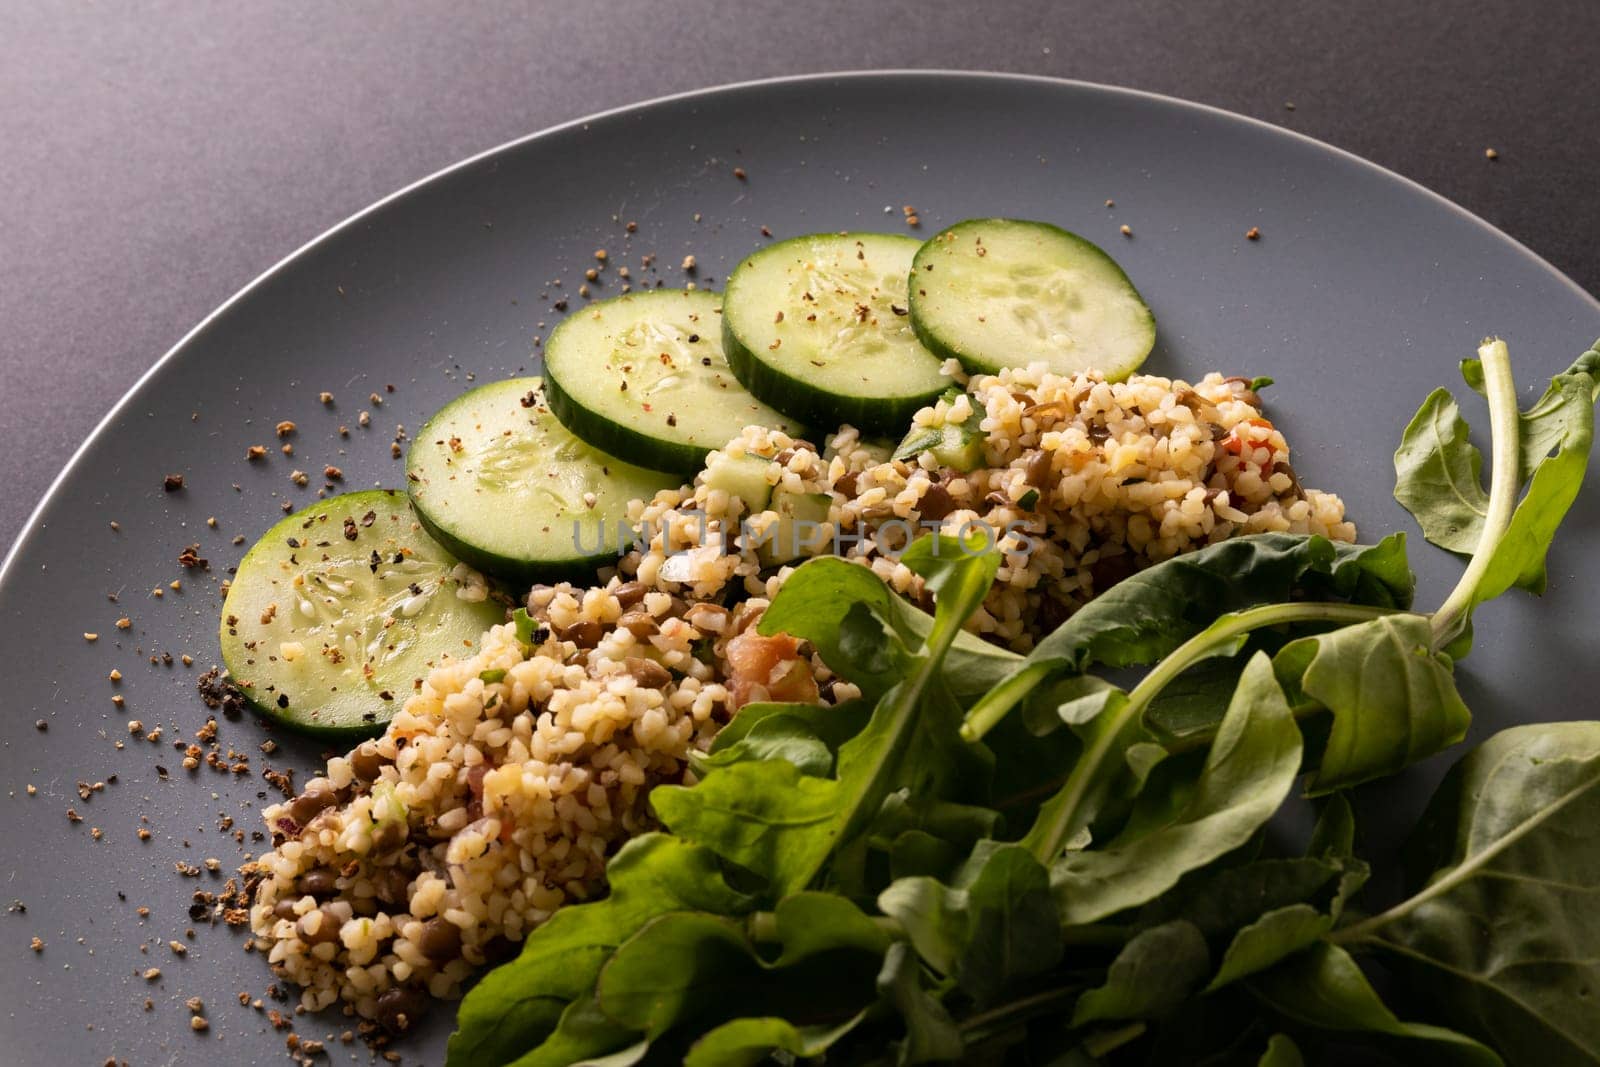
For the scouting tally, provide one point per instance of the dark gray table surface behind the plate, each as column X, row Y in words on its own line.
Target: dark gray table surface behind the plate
column 156, row 158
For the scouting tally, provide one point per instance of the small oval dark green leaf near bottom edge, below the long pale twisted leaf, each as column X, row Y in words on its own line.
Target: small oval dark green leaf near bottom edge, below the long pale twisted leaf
column 1153, row 975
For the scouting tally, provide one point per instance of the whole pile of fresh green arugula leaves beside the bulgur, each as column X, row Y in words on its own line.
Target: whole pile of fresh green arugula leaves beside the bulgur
column 994, row 857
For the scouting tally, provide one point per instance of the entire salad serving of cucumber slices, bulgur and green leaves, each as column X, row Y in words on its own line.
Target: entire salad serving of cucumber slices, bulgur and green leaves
column 738, row 693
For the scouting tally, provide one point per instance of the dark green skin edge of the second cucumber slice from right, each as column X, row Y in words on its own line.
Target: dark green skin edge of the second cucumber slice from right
column 796, row 396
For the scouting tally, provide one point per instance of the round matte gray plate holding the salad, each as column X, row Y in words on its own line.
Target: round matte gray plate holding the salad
column 1361, row 297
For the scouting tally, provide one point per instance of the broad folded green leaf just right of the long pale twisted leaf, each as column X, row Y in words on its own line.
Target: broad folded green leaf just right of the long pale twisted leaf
column 1394, row 700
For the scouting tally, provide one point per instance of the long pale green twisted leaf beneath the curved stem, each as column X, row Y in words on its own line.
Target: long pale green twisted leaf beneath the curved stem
column 1247, row 775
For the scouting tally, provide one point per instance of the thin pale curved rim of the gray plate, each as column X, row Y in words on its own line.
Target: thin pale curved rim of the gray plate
column 31, row 527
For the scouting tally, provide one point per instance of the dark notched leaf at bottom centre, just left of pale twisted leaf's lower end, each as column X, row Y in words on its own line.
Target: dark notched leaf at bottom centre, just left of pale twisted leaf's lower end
column 996, row 929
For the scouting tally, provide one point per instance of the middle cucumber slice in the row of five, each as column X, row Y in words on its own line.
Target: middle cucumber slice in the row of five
column 646, row 377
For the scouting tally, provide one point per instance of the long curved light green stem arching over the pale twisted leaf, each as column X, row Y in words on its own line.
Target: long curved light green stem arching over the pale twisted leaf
column 1049, row 841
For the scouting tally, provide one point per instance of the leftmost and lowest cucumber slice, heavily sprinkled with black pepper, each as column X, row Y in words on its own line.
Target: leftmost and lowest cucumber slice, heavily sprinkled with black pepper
column 342, row 609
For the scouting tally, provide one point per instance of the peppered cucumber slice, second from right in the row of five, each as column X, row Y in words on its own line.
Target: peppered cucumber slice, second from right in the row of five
column 820, row 329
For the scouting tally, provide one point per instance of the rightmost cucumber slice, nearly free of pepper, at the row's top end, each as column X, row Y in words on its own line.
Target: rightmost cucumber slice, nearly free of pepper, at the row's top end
column 1001, row 294
